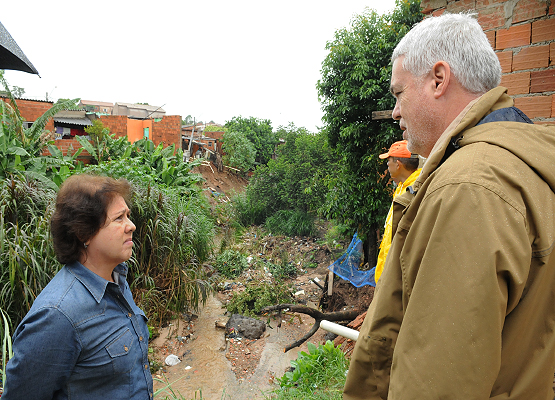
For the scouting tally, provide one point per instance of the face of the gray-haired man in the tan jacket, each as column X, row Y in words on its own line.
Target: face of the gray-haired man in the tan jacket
column 413, row 109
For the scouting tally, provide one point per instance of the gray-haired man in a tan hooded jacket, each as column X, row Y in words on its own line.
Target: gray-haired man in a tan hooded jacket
column 465, row 308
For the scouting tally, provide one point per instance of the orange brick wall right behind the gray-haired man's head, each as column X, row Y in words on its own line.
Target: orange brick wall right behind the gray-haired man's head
column 522, row 33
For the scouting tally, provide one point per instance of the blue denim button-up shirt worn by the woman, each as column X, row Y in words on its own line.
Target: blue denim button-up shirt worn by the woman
column 84, row 338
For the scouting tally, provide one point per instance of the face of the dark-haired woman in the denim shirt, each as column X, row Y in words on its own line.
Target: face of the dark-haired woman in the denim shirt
column 113, row 243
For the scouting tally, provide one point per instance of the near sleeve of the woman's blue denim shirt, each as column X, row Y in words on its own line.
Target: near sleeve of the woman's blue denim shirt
column 46, row 349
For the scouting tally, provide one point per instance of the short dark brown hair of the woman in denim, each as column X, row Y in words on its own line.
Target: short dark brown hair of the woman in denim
column 81, row 210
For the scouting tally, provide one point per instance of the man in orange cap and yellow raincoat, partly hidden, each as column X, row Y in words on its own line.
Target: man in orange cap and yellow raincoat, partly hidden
column 403, row 168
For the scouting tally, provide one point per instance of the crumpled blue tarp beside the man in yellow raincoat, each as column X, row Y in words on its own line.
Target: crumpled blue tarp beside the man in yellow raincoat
column 347, row 265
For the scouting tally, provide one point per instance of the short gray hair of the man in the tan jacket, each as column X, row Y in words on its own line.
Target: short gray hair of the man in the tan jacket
column 456, row 39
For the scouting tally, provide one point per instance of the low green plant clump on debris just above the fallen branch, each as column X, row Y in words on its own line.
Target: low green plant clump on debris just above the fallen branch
column 256, row 296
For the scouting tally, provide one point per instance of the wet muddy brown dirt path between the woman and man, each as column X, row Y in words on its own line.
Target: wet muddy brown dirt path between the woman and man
column 212, row 365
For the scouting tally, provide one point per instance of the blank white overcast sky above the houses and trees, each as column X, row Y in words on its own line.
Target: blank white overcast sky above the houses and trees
column 213, row 60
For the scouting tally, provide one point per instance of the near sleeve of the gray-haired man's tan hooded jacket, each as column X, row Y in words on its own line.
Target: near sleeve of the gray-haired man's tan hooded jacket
column 466, row 259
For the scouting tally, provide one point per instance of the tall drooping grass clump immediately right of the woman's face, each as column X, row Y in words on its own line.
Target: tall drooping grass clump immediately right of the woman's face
column 173, row 240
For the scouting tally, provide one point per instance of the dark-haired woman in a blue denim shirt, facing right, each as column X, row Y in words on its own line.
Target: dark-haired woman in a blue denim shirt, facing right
column 84, row 337
